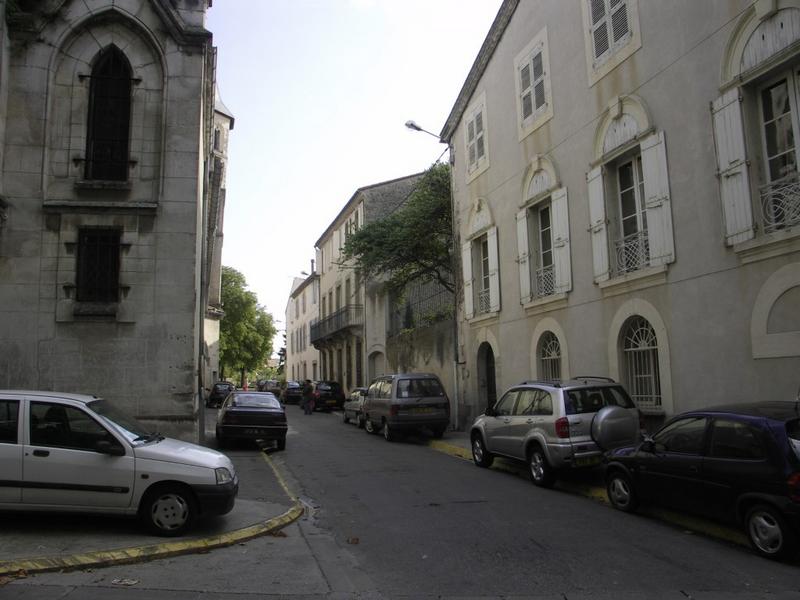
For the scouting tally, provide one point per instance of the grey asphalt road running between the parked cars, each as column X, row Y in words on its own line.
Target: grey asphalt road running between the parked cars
column 400, row 520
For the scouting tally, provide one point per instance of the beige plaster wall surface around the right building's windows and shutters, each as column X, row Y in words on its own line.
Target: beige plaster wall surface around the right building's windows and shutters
column 707, row 295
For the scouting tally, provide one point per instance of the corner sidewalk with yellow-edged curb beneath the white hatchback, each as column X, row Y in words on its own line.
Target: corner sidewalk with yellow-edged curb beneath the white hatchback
column 39, row 542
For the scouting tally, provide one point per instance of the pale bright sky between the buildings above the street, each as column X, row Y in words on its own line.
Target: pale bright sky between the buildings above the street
column 321, row 90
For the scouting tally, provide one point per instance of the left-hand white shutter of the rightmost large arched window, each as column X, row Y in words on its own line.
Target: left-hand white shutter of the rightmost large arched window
column 732, row 168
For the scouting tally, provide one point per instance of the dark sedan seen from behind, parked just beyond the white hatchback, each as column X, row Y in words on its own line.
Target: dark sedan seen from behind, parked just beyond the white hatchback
column 249, row 415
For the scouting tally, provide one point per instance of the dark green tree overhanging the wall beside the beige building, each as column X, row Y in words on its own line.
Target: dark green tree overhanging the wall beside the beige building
column 413, row 244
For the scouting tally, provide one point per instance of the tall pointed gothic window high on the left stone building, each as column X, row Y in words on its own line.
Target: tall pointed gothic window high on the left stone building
column 109, row 117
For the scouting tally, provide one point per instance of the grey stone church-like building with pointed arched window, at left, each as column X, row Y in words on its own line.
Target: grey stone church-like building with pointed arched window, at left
column 106, row 121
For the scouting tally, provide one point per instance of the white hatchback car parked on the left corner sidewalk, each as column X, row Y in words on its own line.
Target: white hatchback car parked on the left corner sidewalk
column 78, row 453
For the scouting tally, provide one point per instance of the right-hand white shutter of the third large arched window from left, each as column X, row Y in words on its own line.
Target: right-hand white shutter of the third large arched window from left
column 656, row 198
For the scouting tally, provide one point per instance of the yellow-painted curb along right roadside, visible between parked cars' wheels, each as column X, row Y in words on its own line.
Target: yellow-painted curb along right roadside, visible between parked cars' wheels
column 688, row 523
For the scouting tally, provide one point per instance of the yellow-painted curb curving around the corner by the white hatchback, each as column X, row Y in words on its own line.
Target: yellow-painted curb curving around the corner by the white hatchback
column 105, row 558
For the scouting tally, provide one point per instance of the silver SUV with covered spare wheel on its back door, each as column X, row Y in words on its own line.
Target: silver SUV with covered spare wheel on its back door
column 554, row 426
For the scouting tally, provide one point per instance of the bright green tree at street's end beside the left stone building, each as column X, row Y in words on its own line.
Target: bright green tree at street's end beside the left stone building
column 246, row 330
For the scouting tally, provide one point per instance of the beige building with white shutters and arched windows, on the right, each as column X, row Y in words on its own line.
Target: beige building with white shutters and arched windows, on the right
column 627, row 199
